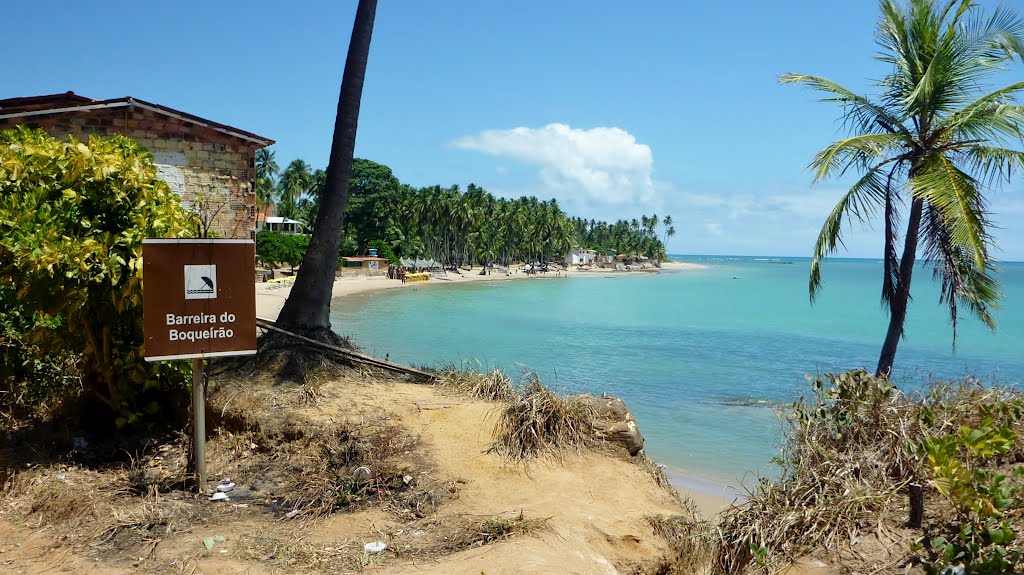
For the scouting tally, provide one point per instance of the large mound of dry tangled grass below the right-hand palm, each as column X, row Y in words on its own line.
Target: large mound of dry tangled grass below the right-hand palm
column 849, row 457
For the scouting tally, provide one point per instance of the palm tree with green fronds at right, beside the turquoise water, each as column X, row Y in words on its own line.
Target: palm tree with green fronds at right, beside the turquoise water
column 933, row 141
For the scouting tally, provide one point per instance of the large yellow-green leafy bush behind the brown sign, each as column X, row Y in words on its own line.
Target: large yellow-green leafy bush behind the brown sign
column 73, row 216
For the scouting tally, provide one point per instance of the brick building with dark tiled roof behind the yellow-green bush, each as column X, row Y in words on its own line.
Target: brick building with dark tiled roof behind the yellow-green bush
column 199, row 159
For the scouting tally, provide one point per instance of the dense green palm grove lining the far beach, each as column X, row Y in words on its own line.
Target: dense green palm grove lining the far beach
column 452, row 226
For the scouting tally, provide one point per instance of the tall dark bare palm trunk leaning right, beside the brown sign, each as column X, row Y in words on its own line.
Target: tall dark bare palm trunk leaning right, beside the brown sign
column 308, row 308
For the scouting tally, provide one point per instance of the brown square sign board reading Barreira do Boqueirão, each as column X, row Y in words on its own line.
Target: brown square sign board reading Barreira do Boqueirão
column 199, row 298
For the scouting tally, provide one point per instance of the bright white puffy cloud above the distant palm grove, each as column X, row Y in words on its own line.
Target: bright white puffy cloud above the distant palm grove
column 606, row 165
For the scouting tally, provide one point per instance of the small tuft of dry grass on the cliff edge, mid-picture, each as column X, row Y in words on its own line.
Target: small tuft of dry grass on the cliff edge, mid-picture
column 542, row 422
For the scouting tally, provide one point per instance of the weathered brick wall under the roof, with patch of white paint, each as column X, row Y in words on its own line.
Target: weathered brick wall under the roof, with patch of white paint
column 211, row 171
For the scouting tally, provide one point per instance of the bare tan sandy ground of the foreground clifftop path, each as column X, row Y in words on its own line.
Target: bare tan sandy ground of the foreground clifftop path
column 595, row 507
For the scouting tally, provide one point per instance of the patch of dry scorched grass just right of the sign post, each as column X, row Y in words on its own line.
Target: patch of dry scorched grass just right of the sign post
column 315, row 466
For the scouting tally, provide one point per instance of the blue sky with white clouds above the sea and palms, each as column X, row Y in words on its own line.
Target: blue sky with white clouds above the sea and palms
column 615, row 109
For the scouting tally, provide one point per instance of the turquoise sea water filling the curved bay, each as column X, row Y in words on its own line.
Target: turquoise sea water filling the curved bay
column 704, row 358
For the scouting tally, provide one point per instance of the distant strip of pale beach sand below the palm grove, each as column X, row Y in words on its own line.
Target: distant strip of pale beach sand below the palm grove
column 271, row 297
